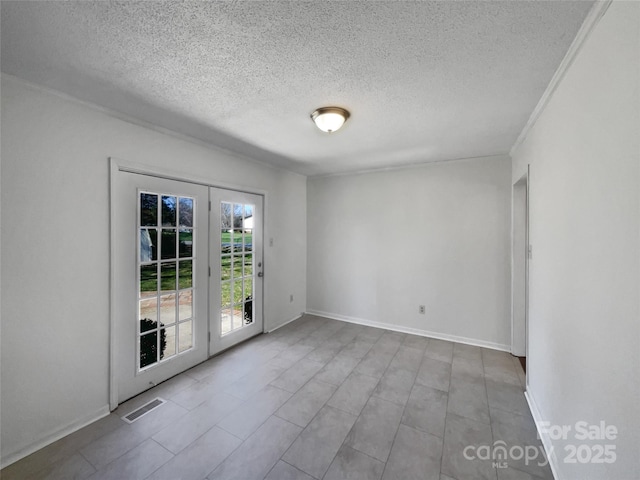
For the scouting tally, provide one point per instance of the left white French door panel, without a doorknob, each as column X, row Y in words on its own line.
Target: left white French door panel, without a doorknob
column 161, row 279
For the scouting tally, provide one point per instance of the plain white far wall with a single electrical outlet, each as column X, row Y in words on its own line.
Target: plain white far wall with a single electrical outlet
column 381, row 244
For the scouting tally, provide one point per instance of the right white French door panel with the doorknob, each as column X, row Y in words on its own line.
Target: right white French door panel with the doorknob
column 236, row 260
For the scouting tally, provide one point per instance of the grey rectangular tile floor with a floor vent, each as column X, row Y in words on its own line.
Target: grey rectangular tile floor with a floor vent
column 316, row 399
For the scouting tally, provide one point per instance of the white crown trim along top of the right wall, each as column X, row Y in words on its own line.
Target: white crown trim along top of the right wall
column 593, row 17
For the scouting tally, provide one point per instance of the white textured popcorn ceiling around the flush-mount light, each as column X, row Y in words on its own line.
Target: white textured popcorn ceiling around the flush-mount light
column 424, row 81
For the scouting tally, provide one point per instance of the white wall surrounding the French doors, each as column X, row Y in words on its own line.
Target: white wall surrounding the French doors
column 55, row 251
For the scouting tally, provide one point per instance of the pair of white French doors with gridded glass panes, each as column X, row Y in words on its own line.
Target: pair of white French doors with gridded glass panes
column 187, row 280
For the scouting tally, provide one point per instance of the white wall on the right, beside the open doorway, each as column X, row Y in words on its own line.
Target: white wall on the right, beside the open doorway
column 584, row 323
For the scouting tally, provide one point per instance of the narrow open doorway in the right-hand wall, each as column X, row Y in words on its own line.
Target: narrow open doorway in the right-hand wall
column 520, row 269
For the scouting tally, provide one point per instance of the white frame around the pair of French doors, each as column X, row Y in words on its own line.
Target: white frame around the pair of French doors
column 116, row 166
